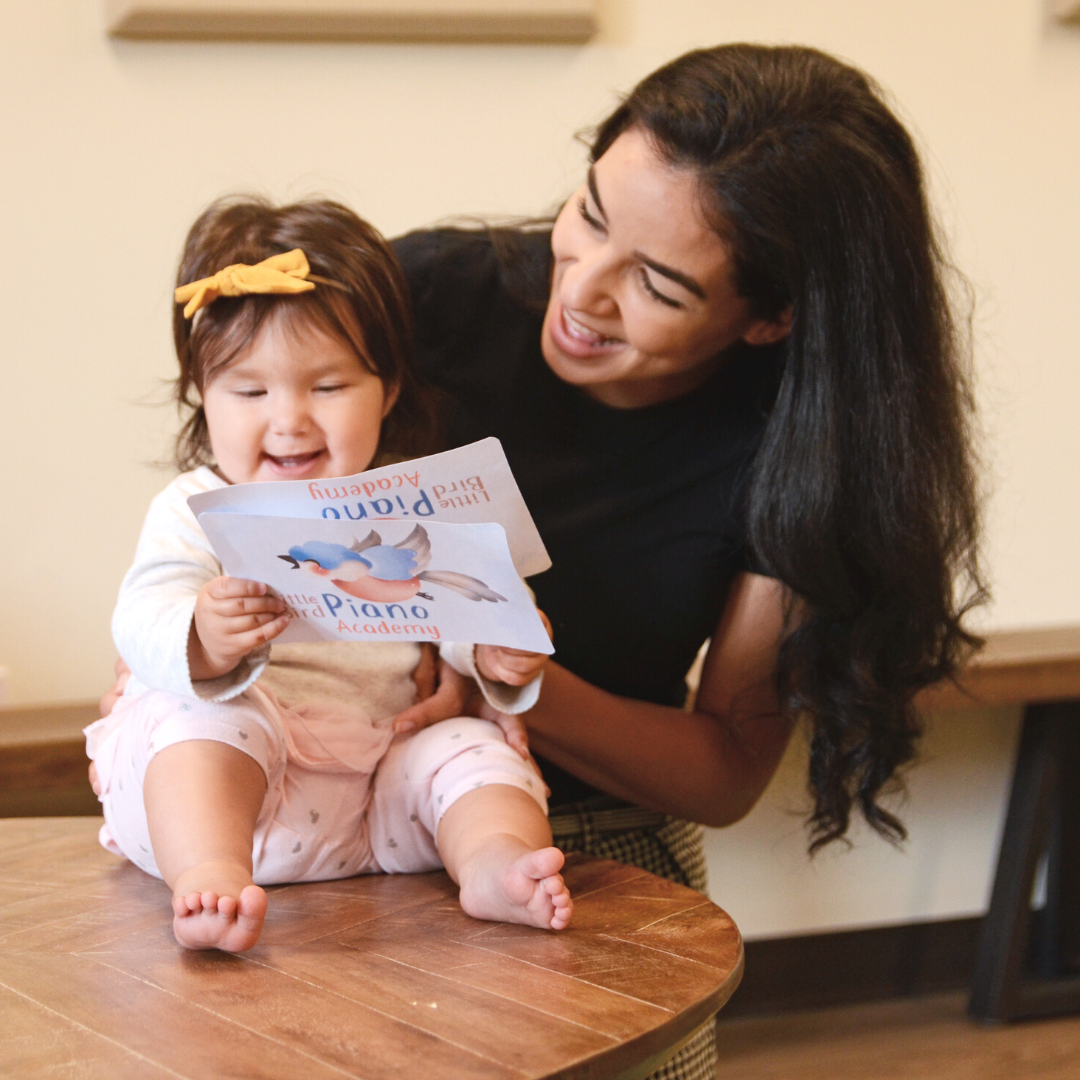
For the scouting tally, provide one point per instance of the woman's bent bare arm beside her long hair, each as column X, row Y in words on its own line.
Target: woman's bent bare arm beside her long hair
column 711, row 765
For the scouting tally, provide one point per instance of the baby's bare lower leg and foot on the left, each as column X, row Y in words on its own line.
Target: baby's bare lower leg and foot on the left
column 202, row 802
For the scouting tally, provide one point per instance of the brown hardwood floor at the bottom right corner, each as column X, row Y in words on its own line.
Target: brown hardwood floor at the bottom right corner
column 913, row 1039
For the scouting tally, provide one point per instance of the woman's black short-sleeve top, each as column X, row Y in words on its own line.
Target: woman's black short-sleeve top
column 643, row 511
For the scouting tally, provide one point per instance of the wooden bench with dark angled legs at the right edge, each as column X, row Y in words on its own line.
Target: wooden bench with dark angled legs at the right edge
column 1029, row 964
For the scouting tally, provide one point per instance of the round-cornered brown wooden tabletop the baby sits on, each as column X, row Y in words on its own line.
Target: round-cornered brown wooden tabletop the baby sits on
column 376, row 977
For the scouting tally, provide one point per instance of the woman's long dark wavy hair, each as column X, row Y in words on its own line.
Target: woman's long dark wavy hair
column 863, row 498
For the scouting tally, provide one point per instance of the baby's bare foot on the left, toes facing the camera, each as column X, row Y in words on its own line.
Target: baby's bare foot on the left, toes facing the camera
column 217, row 906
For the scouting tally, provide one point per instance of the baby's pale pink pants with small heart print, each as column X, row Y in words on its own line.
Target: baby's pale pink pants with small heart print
column 344, row 798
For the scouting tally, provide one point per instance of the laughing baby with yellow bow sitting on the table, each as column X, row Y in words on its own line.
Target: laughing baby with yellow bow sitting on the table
column 229, row 764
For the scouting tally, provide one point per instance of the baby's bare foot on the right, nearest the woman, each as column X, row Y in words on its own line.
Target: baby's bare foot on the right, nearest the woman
column 507, row 886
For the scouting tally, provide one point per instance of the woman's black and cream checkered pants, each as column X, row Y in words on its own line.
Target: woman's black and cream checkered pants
column 664, row 846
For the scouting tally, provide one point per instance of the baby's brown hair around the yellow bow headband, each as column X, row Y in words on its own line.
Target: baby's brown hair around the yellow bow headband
column 369, row 309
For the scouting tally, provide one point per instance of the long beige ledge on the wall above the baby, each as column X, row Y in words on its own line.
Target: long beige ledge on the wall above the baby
column 478, row 21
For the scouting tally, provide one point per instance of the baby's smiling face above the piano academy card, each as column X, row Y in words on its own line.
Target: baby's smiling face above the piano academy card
column 298, row 404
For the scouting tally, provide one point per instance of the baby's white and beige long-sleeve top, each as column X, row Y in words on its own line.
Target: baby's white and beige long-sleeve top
column 153, row 622
